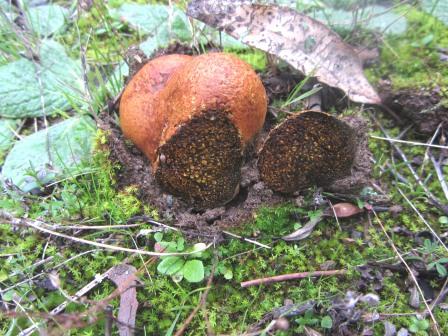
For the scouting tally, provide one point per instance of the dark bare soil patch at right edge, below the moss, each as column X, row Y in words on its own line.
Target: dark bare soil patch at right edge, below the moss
column 423, row 107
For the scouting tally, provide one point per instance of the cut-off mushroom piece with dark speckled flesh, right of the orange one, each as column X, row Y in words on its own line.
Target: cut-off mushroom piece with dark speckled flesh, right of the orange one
column 308, row 148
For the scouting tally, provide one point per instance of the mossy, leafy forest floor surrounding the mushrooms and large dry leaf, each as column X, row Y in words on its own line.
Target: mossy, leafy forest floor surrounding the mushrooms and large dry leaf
column 82, row 243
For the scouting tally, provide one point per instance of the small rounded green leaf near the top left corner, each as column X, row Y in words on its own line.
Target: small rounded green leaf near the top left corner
column 48, row 19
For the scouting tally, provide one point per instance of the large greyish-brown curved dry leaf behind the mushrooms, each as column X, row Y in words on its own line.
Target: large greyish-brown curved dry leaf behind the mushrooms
column 303, row 42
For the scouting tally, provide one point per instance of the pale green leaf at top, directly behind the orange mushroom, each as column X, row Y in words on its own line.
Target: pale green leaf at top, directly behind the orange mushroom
column 162, row 23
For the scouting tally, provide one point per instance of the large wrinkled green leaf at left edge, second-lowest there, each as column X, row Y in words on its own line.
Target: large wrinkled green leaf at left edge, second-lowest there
column 32, row 88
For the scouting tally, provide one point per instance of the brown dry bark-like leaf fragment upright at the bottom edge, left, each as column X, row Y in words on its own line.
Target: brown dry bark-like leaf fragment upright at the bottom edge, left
column 124, row 278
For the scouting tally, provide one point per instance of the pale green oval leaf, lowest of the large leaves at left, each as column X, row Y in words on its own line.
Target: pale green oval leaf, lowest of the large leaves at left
column 56, row 152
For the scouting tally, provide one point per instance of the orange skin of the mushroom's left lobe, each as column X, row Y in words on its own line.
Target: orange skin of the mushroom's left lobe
column 139, row 120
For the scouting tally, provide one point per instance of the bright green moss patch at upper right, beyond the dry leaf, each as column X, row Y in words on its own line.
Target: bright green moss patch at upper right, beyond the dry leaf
column 412, row 60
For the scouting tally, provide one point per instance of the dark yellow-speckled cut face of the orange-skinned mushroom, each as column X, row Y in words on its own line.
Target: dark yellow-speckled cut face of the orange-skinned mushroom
column 201, row 162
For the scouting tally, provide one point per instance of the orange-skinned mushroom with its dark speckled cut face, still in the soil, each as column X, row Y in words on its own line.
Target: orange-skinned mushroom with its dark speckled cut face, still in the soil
column 196, row 127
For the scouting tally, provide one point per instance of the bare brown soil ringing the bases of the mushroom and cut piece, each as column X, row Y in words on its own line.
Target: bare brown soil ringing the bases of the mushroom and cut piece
column 135, row 170
